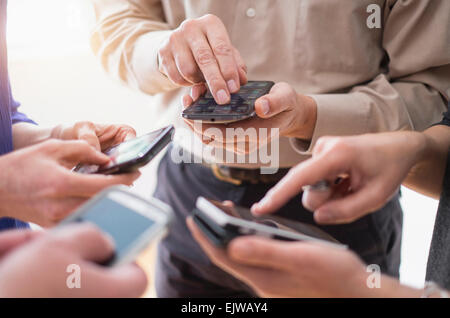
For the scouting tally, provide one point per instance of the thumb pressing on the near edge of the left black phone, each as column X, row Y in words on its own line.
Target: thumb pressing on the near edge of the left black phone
column 74, row 152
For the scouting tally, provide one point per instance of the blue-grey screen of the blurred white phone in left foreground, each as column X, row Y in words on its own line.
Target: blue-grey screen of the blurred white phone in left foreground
column 120, row 221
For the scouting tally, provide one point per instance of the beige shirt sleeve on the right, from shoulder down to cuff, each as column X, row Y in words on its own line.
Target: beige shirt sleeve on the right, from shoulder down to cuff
column 413, row 91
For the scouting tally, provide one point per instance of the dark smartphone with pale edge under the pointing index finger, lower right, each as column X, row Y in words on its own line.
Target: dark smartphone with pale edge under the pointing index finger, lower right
column 221, row 224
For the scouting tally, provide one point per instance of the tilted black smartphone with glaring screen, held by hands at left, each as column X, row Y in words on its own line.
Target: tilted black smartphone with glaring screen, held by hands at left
column 133, row 154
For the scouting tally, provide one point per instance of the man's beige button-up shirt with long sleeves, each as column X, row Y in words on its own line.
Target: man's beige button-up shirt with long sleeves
column 363, row 79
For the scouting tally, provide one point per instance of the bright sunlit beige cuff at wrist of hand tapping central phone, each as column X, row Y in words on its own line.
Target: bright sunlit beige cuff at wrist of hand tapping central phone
column 144, row 63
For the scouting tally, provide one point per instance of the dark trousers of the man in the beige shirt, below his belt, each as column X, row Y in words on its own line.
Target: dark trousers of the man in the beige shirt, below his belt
column 183, row 270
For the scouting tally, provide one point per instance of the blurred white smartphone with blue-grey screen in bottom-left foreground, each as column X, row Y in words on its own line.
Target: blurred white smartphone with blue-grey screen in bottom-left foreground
column 131, row 221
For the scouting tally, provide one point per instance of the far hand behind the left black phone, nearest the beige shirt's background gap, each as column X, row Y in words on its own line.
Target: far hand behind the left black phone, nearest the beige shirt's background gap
column 101, row 137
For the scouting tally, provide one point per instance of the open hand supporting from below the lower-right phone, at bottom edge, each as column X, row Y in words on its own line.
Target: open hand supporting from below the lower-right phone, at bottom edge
column 287, row 269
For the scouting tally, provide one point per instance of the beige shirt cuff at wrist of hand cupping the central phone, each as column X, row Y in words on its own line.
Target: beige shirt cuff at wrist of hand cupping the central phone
column 337, row 115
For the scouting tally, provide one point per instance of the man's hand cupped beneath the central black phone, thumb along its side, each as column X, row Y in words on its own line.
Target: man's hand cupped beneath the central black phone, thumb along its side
column 293, row 114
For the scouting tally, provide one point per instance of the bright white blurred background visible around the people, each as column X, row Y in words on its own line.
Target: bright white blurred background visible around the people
column 58, row 80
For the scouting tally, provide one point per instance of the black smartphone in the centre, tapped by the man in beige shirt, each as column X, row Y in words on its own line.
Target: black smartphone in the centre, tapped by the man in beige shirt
column 242, row 105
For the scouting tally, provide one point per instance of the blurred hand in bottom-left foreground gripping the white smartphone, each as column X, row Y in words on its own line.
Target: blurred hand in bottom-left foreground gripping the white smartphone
column 39, row 268
